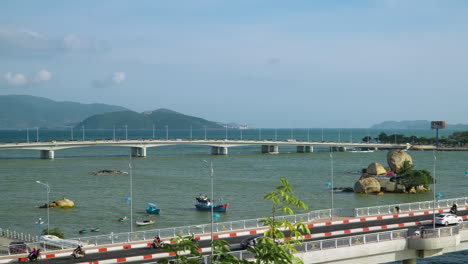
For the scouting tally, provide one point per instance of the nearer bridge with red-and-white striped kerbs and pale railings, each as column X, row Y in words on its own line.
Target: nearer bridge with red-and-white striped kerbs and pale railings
column 376, row 234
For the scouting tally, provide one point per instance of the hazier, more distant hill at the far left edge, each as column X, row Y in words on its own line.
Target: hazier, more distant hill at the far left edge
column 24, row 111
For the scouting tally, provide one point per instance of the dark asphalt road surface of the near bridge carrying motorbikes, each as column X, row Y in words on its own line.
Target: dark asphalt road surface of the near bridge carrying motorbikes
column 318, row 233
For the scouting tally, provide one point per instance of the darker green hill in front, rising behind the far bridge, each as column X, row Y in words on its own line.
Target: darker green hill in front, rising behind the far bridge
column 159, row 118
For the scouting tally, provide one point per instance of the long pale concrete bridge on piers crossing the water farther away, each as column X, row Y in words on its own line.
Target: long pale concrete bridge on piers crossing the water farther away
column 218, row 147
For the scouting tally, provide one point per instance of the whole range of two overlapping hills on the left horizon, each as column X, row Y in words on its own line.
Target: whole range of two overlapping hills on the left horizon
column 25, row 111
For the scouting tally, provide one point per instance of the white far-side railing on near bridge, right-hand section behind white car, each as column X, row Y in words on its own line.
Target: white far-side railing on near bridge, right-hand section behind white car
column 409, row 207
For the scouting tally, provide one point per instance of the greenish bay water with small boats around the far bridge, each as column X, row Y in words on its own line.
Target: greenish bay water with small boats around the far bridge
column 172, row 176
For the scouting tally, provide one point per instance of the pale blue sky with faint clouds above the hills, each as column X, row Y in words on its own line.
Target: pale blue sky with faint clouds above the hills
column 264, row 63
